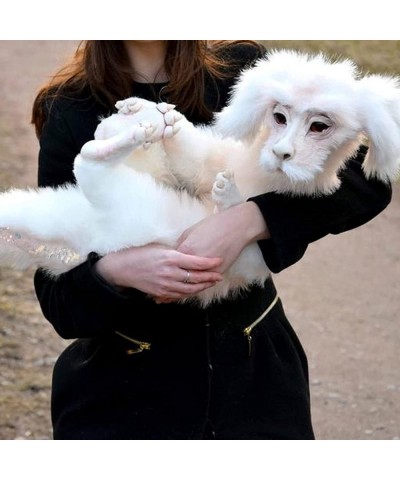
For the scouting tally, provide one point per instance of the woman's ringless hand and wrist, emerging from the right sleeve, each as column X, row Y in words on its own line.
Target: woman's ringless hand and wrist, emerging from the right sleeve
column 225, row 234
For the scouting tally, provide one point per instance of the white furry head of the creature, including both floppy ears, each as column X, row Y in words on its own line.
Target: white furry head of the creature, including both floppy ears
column 315, row 110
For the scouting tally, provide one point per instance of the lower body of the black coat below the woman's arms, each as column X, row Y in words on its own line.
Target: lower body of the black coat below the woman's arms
column 197, row 372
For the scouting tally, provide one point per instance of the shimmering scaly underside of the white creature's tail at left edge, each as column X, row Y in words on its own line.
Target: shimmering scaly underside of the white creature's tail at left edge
column 21, row 251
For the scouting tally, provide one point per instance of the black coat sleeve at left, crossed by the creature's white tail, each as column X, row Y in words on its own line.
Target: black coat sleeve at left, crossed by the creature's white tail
column 77, row 303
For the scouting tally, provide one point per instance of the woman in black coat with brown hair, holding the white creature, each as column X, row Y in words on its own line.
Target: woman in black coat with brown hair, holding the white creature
column 145, row 369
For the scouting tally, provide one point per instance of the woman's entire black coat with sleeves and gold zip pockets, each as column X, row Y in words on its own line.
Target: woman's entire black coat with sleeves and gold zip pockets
column 197, row 380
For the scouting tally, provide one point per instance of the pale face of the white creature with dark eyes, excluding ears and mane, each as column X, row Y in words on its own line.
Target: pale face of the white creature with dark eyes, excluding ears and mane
column 301, row 140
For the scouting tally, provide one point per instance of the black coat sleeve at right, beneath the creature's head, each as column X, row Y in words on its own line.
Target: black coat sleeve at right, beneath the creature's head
column 294, row 222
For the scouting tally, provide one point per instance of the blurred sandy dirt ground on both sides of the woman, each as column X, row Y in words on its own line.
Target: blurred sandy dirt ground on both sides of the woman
column 342, row 298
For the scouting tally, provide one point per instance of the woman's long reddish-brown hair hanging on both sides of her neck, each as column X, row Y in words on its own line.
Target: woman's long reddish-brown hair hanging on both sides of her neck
column 103, row 67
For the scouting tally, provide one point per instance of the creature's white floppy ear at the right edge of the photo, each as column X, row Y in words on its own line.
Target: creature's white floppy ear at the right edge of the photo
column 380, row 106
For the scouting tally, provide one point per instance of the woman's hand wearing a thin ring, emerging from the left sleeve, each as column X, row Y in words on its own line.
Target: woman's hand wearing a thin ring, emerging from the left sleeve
column 159, row 271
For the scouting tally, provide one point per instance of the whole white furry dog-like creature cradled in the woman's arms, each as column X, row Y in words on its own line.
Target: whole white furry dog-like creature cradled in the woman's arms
column 150, row 174
